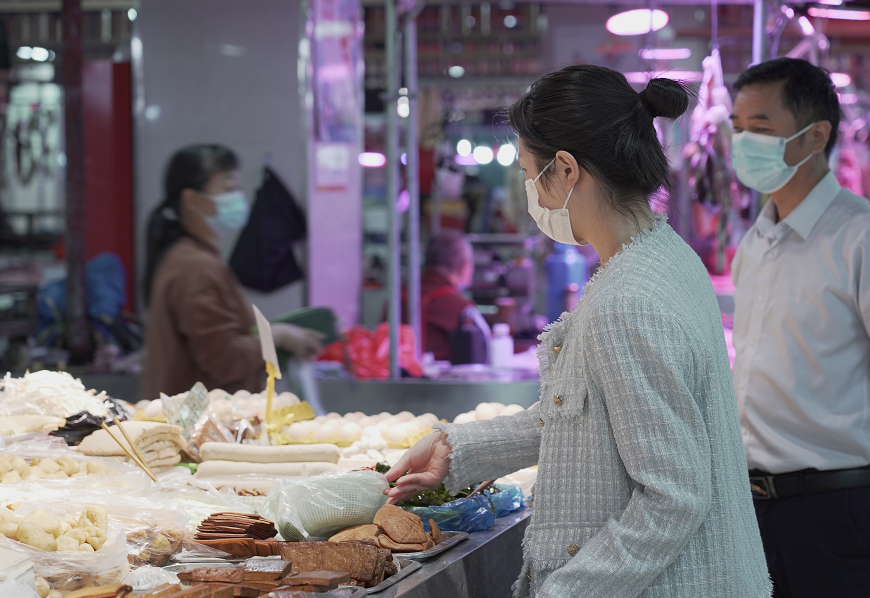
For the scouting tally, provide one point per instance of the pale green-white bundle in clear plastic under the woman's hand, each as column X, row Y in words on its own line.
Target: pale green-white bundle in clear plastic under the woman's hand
column 319, row 506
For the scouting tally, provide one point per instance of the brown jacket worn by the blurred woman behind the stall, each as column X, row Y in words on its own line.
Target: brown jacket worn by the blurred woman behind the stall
column 199, row 327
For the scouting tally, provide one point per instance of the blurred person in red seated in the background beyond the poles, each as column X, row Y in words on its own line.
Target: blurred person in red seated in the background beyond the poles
column 448, row 270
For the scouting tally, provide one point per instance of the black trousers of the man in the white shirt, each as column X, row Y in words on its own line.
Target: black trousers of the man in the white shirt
column 818, row 546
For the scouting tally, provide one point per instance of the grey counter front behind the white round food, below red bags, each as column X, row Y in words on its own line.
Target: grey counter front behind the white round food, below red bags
column 444, row 398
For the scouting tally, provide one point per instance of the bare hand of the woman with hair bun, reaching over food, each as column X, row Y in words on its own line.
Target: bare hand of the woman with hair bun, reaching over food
column 426, row 463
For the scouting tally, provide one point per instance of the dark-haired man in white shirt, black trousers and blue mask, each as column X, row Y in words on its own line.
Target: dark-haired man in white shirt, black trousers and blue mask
column 802, row 335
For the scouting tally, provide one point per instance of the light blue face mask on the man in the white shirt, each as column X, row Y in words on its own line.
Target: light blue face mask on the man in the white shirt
column 759, row 160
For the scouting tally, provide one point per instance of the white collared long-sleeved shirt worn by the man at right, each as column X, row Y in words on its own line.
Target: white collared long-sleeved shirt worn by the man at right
column 802, row 334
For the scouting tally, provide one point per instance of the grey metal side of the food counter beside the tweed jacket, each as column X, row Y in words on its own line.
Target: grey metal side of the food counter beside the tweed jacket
column 485, row 565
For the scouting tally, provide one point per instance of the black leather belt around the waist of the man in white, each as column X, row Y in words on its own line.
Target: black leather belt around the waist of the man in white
column 765, row 486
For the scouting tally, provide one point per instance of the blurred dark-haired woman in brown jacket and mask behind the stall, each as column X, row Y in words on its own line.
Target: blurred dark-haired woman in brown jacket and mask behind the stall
column 200, row 325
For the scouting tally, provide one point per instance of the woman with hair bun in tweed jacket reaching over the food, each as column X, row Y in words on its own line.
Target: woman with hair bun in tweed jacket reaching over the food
column 642, row 487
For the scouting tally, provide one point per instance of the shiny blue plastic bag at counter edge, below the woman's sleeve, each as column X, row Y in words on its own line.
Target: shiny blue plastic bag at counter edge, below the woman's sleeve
column 472, row 514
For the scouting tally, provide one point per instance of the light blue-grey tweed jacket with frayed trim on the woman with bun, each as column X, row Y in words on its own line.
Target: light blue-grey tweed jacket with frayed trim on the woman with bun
column 642, row 484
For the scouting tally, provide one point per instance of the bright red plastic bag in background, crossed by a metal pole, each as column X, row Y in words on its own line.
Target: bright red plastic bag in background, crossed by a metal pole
column 366, row 353
